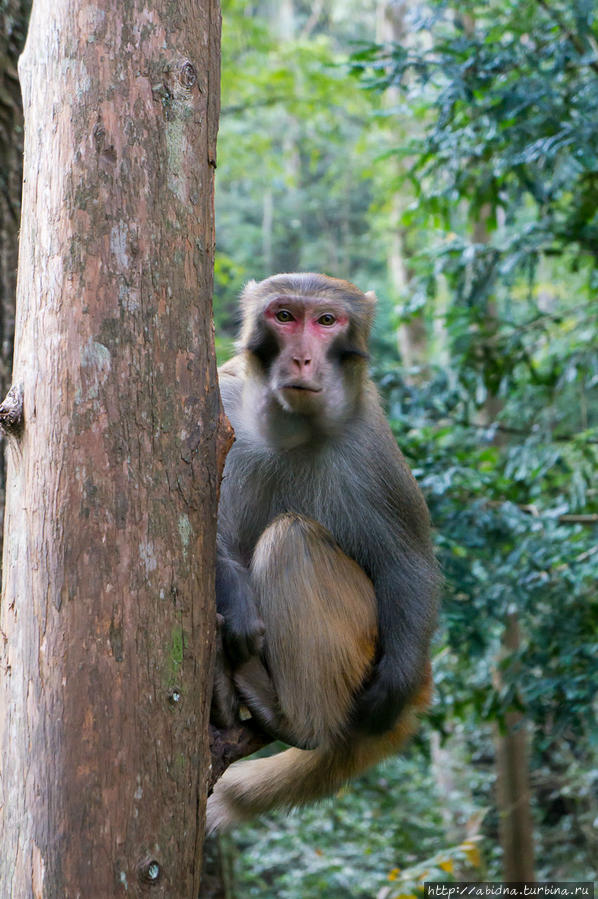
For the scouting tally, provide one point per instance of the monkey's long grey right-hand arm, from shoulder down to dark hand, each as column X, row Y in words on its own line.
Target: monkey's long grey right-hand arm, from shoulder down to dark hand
column 401, row 565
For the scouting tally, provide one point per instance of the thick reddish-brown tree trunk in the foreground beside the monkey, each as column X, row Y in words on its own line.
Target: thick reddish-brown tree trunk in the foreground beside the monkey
column 107, row 617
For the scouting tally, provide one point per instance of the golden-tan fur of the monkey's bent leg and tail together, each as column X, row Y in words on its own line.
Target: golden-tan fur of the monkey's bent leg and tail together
column 320, row 614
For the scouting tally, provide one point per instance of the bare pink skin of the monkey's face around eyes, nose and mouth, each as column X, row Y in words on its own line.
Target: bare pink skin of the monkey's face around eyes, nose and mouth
column 305, row 329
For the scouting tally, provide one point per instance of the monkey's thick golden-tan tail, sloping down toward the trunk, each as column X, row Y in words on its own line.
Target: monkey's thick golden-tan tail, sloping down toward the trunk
column 297, row 776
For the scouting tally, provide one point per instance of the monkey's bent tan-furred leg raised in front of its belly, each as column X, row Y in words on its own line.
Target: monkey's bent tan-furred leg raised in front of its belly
column 319, row 611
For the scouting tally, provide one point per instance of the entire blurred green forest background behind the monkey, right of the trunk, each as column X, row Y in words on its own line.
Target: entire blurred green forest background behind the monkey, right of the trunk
column 445, row 155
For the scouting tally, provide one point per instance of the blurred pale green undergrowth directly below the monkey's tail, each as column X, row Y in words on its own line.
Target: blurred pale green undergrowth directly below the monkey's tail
column 368, row 843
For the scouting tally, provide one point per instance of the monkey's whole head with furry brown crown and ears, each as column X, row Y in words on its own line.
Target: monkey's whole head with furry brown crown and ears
column 306, row 340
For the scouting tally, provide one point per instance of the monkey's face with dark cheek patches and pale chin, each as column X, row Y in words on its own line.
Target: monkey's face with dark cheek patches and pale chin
column 307, row 339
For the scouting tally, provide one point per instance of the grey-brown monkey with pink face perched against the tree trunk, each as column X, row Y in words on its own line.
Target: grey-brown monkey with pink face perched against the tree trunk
column 326, row 578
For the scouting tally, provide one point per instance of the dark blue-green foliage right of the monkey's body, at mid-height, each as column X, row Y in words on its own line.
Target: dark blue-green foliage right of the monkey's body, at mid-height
column 505, row 544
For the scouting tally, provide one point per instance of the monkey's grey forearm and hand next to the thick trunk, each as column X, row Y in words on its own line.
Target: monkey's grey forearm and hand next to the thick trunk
column 243, row 629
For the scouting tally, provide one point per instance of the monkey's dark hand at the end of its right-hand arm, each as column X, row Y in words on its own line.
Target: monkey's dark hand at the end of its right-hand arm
column 382, row 699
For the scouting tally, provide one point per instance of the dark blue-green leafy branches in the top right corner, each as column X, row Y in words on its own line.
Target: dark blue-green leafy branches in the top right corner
column 513, row 85
